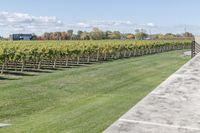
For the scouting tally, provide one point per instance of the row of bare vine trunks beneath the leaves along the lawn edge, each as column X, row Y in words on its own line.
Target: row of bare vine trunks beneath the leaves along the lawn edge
column 28, row 65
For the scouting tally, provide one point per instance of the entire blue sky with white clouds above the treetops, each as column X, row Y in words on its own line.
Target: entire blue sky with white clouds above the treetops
column 156, row 16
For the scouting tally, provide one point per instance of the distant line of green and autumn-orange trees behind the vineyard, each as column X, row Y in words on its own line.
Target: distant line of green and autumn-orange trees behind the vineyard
column 97, row 34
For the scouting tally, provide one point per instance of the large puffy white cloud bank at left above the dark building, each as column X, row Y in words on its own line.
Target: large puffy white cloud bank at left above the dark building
column 25, row 23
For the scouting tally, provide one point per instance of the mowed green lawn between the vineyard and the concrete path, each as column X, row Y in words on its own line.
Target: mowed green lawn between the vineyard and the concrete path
column 85, row 99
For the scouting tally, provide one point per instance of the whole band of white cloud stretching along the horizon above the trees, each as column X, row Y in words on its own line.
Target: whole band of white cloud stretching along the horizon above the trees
column 12, row 22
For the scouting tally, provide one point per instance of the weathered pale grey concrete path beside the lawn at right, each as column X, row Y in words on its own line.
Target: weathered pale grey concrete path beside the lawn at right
column 173, row 107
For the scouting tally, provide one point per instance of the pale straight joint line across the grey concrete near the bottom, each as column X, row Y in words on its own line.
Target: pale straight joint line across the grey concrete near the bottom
column 158, row 124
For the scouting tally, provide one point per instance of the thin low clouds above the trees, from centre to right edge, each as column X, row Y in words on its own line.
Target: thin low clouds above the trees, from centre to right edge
column 130, row 26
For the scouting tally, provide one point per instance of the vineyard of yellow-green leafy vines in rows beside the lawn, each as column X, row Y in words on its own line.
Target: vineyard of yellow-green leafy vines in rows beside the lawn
column 35, row 55
